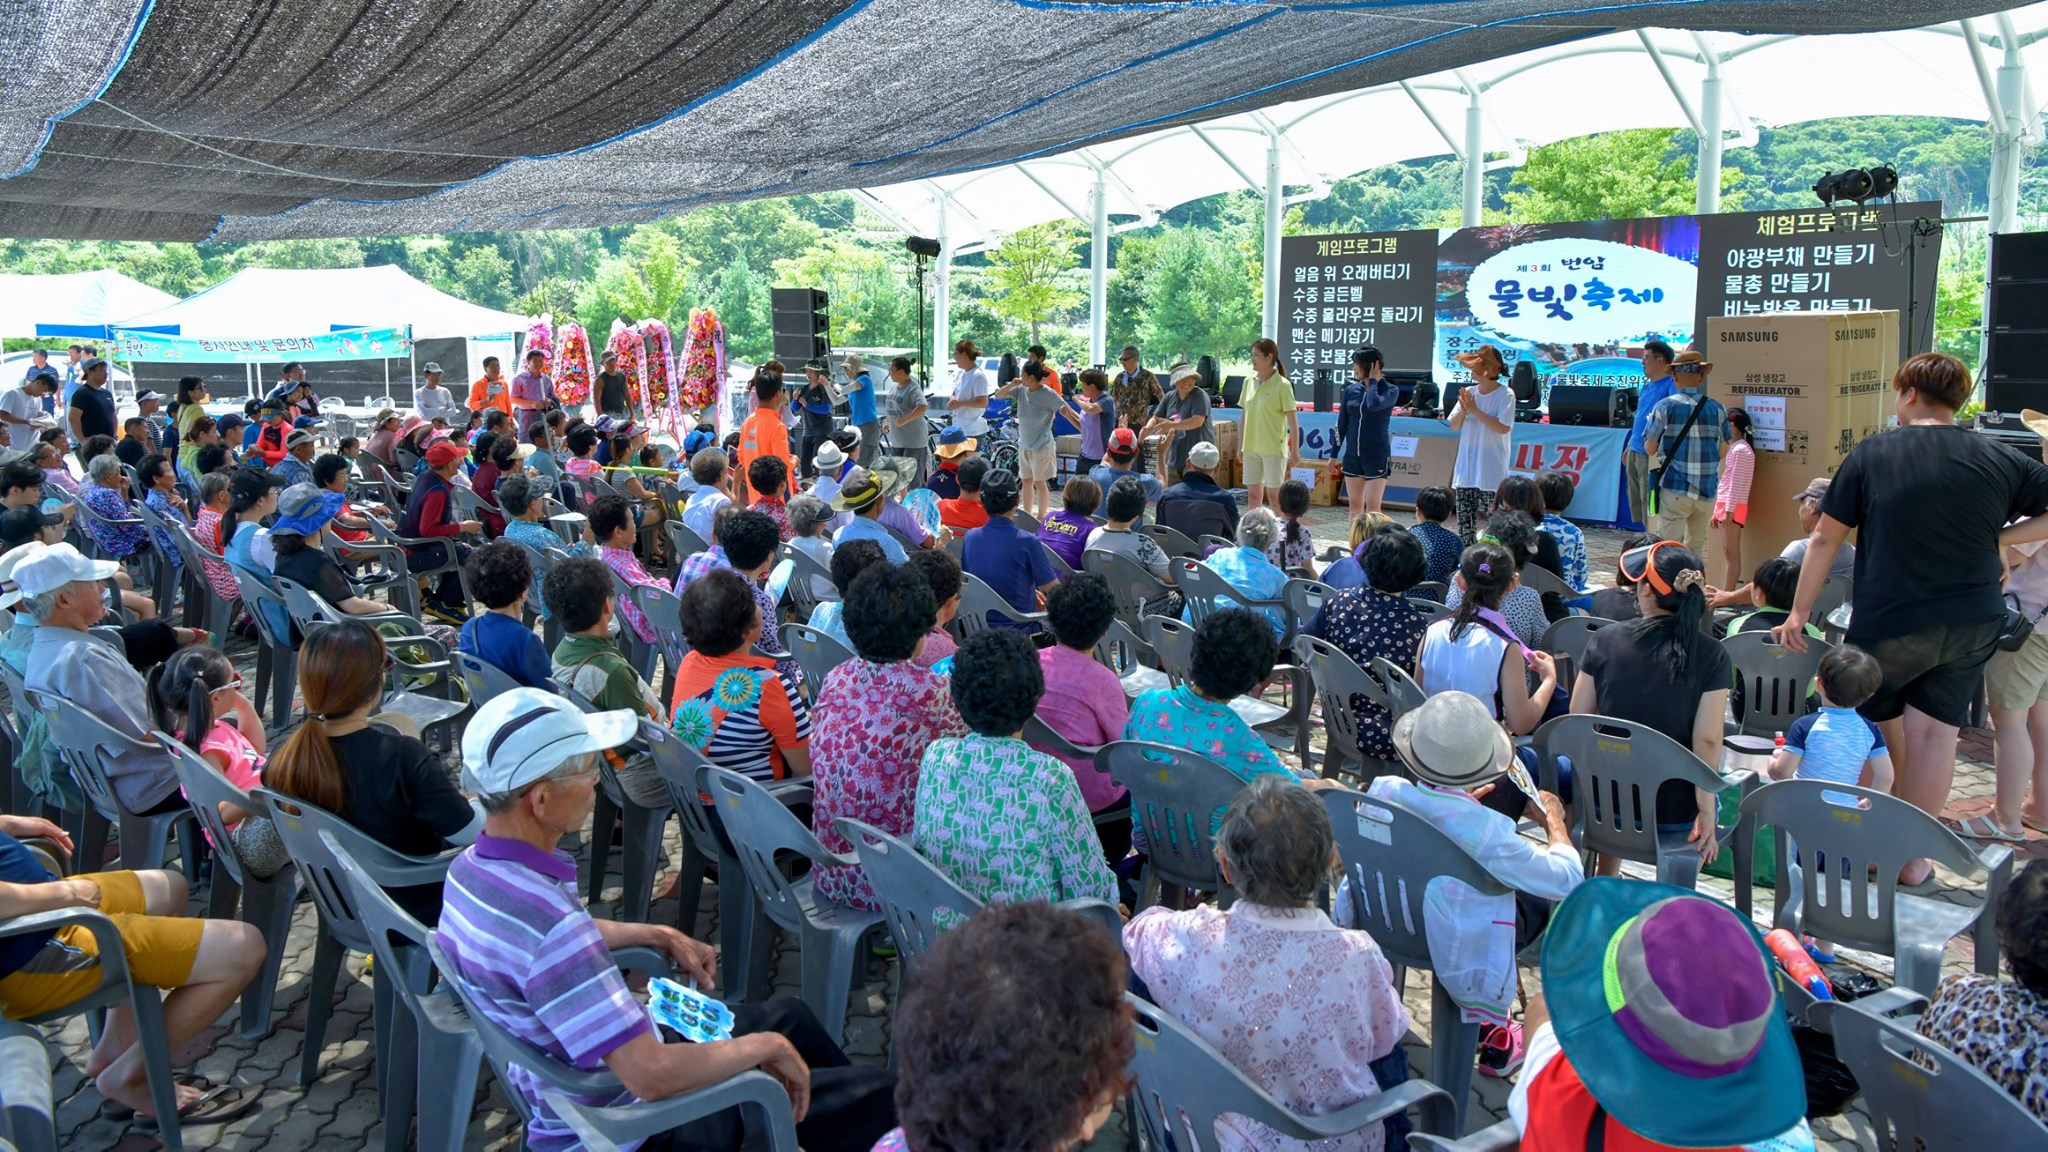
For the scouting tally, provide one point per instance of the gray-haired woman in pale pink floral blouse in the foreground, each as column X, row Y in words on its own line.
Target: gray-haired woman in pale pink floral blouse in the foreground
column 1306, row 1010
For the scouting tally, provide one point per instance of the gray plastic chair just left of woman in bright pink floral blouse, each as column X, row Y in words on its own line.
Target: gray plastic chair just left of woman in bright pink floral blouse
column 830, row 936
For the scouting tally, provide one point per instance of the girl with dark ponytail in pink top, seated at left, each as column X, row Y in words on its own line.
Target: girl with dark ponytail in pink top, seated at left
column 198, row 698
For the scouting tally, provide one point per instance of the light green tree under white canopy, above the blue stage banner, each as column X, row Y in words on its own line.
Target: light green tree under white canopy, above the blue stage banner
column 1613, row 175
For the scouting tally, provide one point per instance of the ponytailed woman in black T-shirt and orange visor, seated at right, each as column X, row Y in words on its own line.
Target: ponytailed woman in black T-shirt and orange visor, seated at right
column 1664, row 673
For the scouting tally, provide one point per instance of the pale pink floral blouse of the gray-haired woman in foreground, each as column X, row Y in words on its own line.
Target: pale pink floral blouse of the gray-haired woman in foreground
column 1293, row 1001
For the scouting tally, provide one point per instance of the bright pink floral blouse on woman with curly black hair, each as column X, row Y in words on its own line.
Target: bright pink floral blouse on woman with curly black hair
column 867, row 737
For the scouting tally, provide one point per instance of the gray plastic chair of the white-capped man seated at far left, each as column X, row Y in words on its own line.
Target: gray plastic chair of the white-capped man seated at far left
column 85, row 743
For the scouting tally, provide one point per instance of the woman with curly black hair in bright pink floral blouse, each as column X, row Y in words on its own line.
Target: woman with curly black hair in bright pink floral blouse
column 876, row 716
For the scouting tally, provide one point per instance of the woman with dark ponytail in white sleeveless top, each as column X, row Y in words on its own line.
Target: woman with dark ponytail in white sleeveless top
column 1476, row 653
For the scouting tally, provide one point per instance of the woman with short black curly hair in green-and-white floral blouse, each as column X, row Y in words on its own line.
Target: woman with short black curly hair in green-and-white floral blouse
column 1005, row 821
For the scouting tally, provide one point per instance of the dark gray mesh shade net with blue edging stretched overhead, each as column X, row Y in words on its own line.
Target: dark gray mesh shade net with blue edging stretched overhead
column 253, row 120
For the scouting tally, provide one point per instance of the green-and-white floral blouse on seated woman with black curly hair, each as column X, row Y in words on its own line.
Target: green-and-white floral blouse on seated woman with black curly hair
column 1009, row 823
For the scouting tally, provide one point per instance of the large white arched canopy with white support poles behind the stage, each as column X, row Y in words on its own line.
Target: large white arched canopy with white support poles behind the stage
column 1721, row 85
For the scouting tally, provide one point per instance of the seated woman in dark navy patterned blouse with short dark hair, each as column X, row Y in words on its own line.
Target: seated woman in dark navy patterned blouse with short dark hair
column 1377, row 620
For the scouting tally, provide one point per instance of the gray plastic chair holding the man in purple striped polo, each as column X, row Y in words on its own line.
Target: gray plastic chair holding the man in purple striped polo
column 765, row 1100
